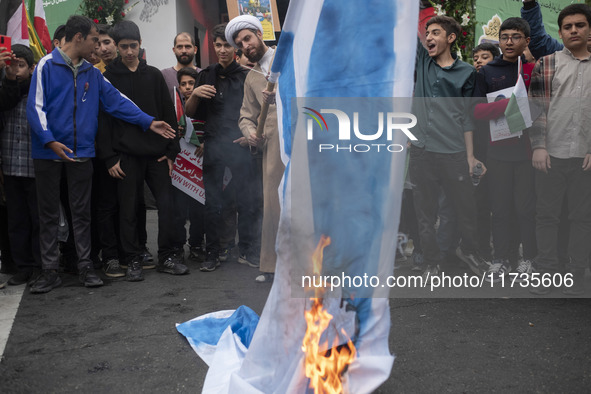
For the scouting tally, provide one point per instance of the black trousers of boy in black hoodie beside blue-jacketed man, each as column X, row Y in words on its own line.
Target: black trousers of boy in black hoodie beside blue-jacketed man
column 129, row 190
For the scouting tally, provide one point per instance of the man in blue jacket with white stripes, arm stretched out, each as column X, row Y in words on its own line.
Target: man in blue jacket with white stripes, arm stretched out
column 62, row 109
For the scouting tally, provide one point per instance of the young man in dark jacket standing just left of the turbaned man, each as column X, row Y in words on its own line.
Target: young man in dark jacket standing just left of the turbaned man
column 219, row 93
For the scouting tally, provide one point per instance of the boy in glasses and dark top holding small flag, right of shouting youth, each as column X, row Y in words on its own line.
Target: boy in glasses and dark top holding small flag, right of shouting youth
column 510, row 174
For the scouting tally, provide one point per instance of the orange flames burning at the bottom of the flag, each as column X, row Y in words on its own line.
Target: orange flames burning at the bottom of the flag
column 323, row 368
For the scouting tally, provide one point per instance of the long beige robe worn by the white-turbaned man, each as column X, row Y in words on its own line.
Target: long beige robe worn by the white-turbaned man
column 273, row 167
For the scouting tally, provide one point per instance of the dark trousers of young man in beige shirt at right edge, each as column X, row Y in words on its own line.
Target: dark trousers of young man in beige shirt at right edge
column 565, row 179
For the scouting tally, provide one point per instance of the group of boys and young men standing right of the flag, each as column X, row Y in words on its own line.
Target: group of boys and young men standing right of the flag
column 532, row 192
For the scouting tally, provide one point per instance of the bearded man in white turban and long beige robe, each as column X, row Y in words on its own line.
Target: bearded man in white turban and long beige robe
column 246, row 33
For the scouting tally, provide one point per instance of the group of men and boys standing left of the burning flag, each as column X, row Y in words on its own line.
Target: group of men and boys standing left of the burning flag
column 92, row 123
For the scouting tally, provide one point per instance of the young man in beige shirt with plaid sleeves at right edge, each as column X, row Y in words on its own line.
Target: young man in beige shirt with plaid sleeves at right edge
column 561, row 145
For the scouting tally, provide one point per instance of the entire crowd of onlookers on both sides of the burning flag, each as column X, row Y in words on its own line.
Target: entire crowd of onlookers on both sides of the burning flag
column 85, row 128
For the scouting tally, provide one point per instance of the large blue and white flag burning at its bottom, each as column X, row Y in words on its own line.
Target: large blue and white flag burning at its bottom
column 325, row 225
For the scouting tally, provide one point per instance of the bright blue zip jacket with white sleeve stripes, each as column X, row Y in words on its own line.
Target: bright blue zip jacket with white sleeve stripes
column 65, row 108
